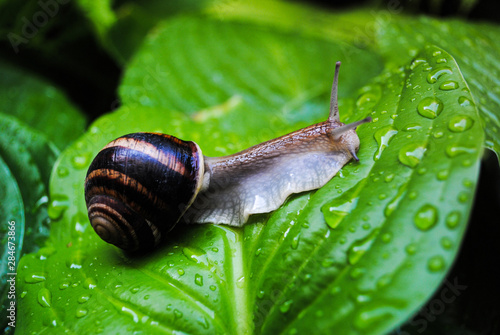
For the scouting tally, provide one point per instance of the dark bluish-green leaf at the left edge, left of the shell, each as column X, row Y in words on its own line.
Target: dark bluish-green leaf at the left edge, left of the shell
column 26, row 159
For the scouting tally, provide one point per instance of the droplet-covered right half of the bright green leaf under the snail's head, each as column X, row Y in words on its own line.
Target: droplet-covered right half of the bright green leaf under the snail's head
column 398, row 217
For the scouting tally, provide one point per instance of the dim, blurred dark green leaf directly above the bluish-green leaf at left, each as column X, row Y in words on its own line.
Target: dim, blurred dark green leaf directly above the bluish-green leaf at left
column 39, row 105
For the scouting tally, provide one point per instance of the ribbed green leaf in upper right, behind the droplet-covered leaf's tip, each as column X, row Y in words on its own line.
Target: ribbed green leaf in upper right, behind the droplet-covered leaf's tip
column 475, row 47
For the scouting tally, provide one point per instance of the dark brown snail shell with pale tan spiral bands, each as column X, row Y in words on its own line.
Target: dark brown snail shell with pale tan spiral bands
column 139, row 185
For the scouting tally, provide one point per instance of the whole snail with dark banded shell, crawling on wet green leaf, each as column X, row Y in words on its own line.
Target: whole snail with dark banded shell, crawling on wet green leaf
column 140, row 185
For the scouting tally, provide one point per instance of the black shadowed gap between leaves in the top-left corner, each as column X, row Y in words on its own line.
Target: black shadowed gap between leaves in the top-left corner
column 53, row 40
